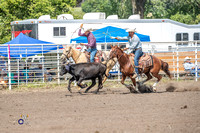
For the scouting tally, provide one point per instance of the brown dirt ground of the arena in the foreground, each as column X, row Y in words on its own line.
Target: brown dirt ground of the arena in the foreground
column 113, row 110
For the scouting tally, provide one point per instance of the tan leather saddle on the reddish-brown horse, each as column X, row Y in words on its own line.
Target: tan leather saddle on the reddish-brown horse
column 144, row 61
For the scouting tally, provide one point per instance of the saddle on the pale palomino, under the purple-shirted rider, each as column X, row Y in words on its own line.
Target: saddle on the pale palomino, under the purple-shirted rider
column 99, row 57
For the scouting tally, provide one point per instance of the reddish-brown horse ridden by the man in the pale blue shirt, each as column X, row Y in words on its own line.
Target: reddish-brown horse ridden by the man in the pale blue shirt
column 128, row 70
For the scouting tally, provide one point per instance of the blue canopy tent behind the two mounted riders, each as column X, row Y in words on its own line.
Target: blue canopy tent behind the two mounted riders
column 103, row 35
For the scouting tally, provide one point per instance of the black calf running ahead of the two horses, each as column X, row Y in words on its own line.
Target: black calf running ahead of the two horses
column 85, row 71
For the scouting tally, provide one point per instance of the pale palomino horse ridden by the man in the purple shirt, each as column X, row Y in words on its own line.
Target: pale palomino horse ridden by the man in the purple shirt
column 80, row 57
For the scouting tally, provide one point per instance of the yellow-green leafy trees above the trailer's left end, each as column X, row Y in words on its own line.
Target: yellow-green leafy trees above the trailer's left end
column 12, row 10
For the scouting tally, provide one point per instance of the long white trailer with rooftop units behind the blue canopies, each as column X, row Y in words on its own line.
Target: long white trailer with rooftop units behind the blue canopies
column 64, row 28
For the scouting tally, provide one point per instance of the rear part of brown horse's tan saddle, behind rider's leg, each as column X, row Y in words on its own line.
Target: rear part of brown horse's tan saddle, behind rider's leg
column 145, row 61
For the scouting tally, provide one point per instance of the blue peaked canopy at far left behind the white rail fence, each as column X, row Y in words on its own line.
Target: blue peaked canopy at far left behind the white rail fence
column 26, row 50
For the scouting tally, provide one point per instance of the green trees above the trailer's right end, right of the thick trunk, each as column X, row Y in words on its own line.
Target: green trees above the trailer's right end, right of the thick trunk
column 173, row 9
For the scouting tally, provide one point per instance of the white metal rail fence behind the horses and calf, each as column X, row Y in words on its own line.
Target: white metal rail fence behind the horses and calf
column 44, row 66
